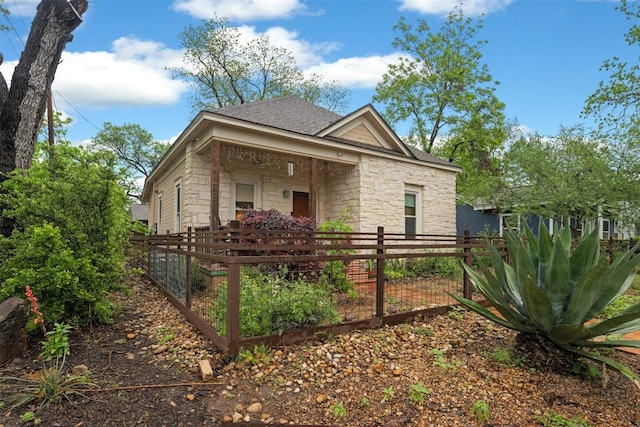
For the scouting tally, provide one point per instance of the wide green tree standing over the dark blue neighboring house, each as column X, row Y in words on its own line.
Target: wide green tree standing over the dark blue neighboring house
column 567, row 176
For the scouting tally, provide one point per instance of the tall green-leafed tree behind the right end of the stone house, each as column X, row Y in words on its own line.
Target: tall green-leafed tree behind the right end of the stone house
column 441, row 86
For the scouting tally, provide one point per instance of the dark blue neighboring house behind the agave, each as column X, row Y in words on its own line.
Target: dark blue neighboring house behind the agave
column 483, row 218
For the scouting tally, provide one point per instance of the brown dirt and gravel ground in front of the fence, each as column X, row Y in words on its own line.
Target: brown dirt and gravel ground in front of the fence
column 450, row 370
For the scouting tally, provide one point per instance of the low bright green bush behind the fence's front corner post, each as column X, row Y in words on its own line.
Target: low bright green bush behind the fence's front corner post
column 270, row 304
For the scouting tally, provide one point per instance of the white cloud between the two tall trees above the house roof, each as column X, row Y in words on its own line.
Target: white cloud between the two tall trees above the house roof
column 362, row 72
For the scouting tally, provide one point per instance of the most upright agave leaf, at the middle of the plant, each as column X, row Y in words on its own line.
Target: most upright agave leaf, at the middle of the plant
column 557, row 277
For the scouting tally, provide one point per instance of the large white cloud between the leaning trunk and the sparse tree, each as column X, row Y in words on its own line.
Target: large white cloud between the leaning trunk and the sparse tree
column 132, row 74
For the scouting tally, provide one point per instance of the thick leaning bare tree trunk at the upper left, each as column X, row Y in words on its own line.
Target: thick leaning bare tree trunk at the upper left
column 23, row 106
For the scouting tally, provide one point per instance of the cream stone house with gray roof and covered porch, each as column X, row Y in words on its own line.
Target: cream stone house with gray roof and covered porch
column 296, row 157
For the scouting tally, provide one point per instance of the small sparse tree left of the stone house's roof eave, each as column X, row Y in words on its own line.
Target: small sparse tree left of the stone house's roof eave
column 135, row 149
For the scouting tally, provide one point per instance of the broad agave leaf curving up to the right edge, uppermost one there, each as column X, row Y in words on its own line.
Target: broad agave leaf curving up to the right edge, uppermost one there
column 618, row 278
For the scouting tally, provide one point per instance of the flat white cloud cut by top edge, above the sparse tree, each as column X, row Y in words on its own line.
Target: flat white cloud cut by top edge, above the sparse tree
column 240, row 10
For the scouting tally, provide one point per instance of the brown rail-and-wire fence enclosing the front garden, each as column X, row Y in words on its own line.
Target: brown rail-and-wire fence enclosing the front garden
column 243, row 287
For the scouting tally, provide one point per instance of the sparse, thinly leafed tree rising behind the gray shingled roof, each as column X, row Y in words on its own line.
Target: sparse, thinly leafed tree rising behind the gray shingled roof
column 227, row 71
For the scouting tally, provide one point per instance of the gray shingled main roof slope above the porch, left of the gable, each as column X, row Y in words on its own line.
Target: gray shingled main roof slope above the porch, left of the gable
column 289, row 113
